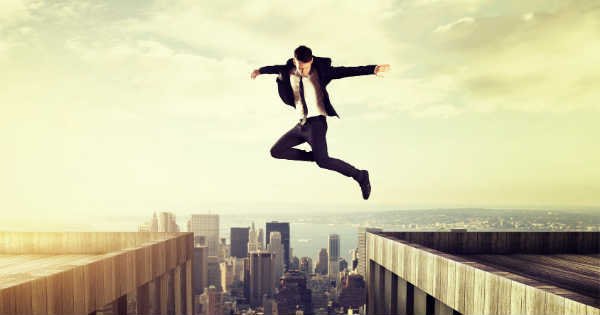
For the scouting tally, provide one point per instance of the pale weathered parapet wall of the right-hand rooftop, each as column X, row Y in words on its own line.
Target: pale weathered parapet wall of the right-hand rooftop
column 403, row 277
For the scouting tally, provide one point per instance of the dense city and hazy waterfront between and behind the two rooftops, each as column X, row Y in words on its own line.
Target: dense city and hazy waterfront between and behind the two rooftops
column 253, row 269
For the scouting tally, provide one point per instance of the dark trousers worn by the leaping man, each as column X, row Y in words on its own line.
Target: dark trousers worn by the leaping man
column 313, row 132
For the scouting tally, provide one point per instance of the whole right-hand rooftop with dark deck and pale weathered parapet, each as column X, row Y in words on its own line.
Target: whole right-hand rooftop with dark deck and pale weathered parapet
column 482, row 272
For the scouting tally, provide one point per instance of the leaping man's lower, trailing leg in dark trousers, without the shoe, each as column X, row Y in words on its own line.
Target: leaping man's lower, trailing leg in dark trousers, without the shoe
column 318, row 142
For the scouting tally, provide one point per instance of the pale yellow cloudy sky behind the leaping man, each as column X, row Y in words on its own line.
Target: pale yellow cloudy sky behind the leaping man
column 138, row 106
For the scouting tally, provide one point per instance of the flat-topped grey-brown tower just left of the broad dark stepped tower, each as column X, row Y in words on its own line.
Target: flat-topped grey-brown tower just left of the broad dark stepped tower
column 261, row 276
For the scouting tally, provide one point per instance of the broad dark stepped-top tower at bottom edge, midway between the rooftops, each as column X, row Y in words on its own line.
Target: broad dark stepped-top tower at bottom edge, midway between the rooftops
column 293, row 294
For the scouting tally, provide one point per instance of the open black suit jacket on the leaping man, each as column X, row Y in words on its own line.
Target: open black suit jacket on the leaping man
column 326, row 73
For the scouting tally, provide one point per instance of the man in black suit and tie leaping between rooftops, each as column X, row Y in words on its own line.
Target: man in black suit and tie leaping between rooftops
column 302, row 83
